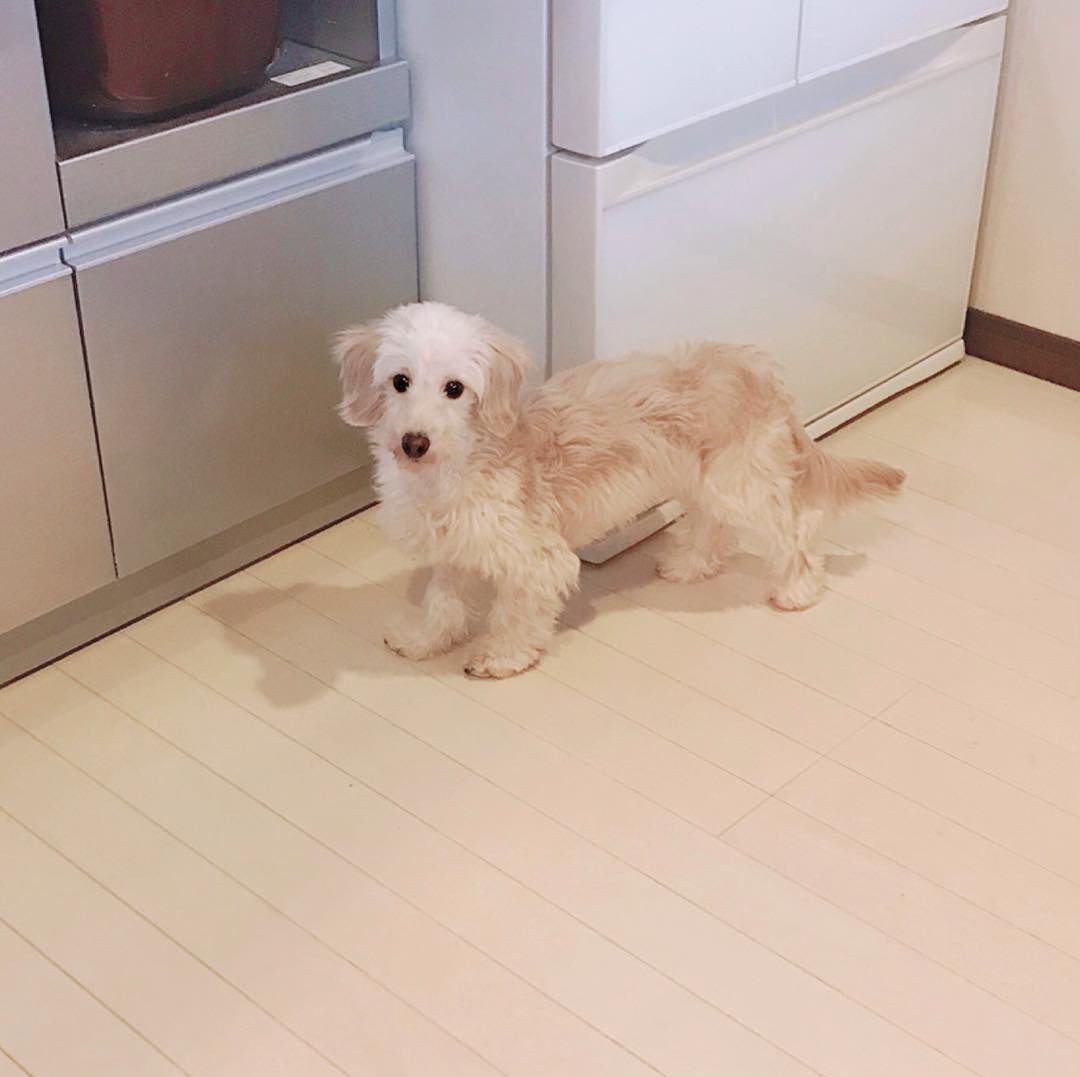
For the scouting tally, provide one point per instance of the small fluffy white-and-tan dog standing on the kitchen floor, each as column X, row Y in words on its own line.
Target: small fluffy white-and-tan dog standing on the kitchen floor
column 483, row 479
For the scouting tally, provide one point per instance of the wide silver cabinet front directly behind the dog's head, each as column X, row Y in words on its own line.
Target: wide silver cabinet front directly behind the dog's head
column 209, row 355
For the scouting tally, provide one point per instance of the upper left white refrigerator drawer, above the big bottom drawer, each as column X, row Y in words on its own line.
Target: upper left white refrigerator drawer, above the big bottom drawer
column 627, row 71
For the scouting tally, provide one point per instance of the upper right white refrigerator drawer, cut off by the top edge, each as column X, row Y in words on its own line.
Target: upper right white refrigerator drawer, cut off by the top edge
column 836, row 33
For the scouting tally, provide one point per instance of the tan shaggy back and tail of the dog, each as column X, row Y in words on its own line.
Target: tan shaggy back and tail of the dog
column 615, row 437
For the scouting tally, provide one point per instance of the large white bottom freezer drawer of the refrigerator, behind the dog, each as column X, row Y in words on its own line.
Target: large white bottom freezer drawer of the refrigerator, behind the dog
column 834, row 227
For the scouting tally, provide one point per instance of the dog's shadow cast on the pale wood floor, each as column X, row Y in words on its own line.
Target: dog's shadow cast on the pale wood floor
column 315, row 639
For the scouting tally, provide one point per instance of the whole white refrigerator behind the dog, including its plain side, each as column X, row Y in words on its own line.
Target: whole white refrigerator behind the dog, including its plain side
column 802, row 176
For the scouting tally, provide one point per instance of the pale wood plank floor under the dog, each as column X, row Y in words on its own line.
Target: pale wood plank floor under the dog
column 705, row 840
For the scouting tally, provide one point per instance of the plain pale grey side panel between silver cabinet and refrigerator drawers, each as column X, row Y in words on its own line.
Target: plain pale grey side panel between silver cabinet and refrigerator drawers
column 480, row 134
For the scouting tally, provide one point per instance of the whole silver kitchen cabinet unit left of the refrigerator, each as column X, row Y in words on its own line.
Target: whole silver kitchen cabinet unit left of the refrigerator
column 168, row 400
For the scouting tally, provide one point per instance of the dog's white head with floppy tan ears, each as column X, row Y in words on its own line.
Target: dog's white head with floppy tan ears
column 430, row 383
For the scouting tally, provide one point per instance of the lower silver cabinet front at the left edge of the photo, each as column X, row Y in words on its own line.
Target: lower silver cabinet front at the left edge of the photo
column 55, row 537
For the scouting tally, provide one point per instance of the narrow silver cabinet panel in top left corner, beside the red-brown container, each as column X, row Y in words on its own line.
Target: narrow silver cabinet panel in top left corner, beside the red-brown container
column 31, row 207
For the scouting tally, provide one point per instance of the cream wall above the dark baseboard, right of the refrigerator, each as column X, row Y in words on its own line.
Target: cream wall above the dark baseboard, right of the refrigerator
column 1029, row 263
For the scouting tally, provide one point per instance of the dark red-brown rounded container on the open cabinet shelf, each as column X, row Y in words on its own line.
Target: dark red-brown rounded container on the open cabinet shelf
column 143, row 60
